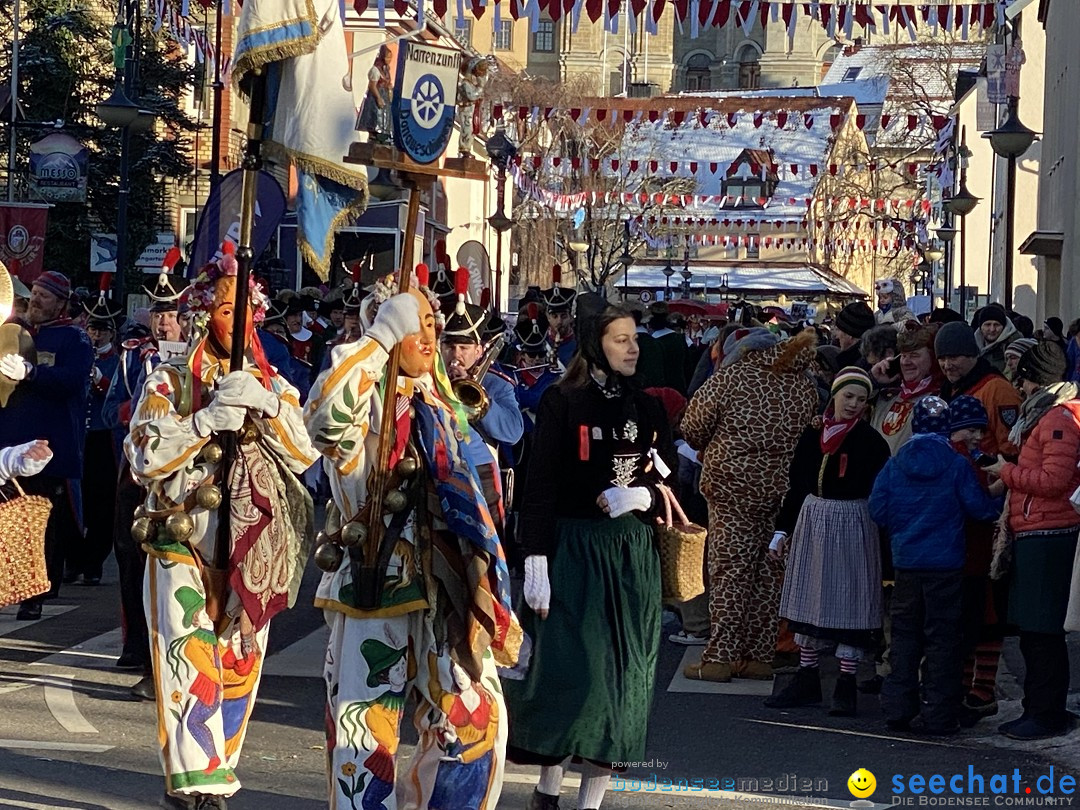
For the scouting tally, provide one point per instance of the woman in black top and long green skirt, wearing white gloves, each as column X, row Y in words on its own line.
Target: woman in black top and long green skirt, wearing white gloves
column 592, row 575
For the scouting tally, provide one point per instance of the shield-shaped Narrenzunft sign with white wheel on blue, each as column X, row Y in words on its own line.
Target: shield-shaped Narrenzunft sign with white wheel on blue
column 425, row 100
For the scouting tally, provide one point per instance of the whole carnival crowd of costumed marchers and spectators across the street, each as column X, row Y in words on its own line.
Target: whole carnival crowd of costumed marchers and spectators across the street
column 899, row 493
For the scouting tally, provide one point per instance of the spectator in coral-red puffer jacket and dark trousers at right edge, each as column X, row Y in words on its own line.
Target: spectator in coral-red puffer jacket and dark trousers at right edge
column 1046, row 529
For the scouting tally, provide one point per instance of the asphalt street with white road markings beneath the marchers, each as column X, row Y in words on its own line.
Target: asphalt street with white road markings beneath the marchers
column 73, row 740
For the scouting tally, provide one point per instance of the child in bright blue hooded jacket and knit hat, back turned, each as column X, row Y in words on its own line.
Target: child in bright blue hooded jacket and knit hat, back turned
column 923, row 497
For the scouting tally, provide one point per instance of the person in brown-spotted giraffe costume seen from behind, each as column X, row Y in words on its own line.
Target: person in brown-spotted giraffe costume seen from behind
column 747, row 421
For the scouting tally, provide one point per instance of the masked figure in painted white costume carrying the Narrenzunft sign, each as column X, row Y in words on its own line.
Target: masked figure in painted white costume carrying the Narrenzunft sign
column 438, row 605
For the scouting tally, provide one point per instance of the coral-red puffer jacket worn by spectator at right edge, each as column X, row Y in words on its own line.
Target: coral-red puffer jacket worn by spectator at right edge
column 1046, row 476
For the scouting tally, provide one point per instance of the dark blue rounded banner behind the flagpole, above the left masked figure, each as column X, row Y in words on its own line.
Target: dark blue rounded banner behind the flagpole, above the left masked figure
column 220, row 221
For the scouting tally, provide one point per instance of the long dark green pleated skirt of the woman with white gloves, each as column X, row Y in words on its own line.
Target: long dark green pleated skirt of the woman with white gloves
column 589, row 687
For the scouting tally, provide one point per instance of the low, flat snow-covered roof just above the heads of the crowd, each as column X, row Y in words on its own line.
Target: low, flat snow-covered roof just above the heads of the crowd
column 764, row 279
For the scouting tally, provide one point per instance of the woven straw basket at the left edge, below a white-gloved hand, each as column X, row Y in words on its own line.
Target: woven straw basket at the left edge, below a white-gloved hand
column 23, row 523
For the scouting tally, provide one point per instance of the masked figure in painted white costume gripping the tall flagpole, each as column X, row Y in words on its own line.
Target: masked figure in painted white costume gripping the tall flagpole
column 209, row 631
